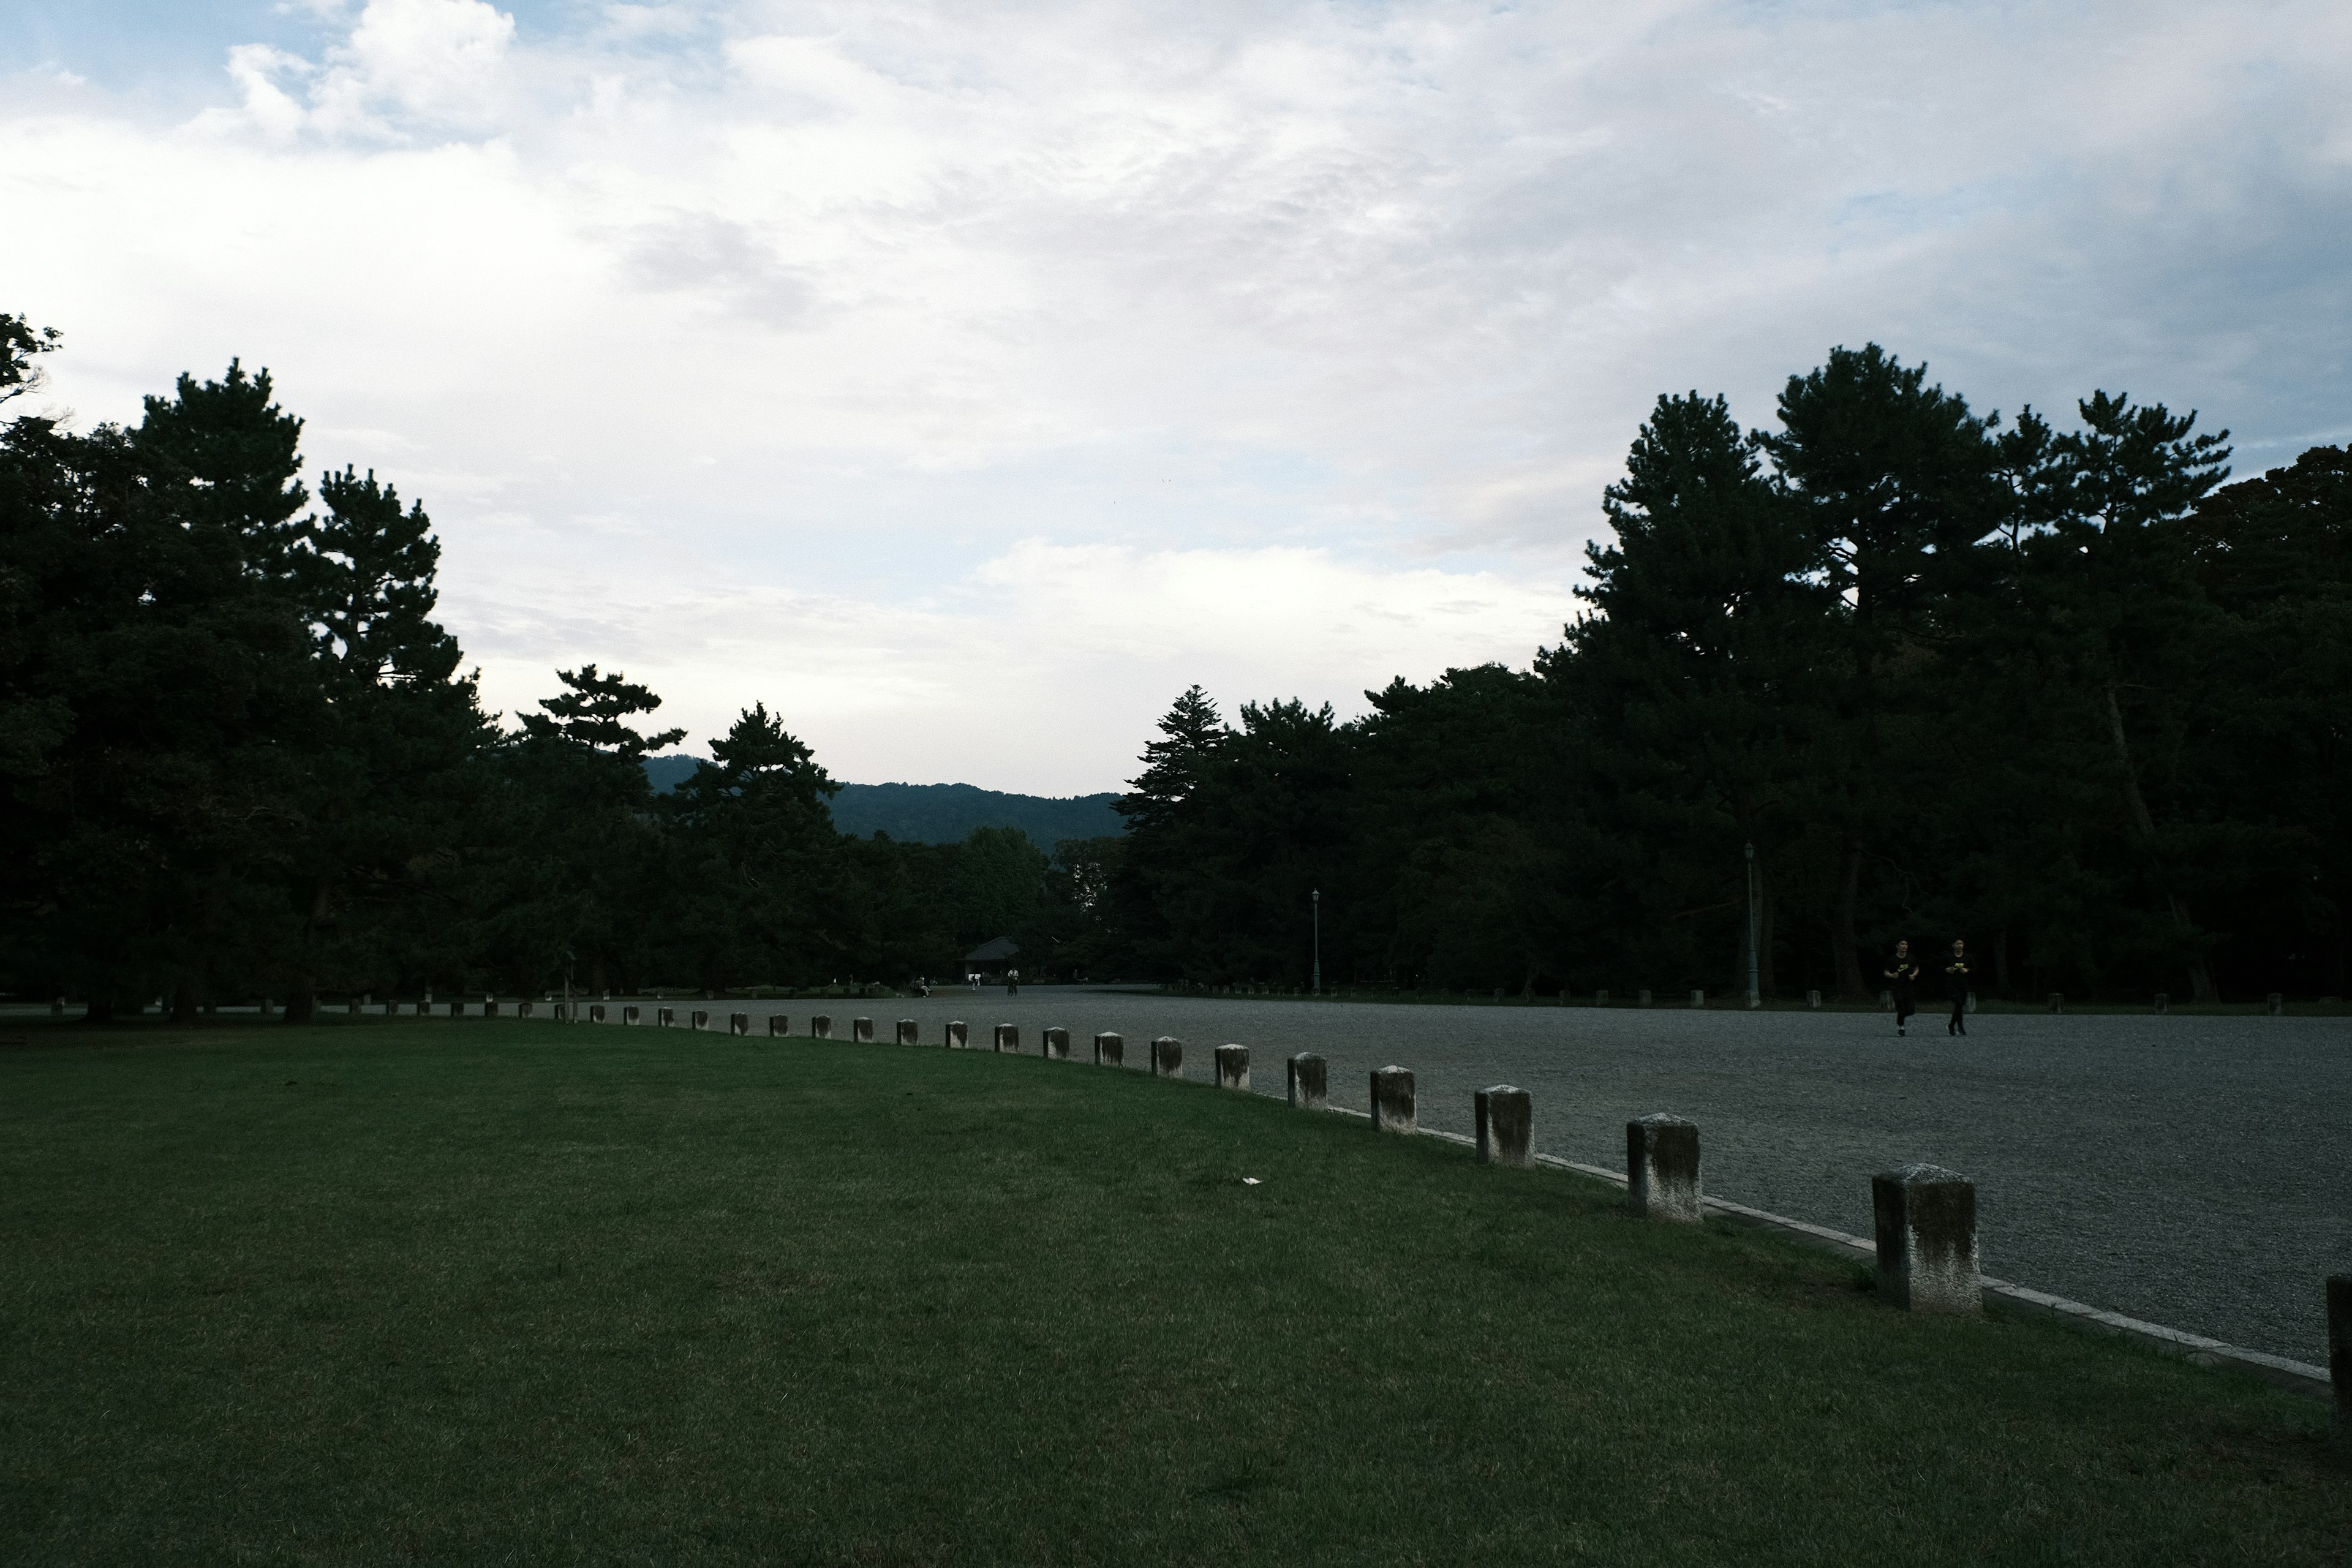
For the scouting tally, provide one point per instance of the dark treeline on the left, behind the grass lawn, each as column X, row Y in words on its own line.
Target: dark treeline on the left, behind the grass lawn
column 243, row 760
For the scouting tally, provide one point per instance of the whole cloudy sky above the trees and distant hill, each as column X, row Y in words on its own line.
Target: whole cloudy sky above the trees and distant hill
column 968, row 380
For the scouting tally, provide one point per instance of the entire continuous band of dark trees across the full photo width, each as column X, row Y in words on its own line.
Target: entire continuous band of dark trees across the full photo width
column 2059, row 690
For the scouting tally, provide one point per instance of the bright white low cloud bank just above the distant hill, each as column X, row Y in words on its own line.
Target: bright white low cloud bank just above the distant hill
column 1038, row 671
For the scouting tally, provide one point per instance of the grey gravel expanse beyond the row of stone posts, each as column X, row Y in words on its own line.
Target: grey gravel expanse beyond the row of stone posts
column 2189, row 1172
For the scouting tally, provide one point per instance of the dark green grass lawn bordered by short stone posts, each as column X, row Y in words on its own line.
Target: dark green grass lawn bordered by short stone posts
column 516, row 1292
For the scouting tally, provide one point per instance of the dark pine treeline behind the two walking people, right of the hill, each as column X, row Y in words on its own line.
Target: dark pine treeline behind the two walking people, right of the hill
column 2059, row 692
